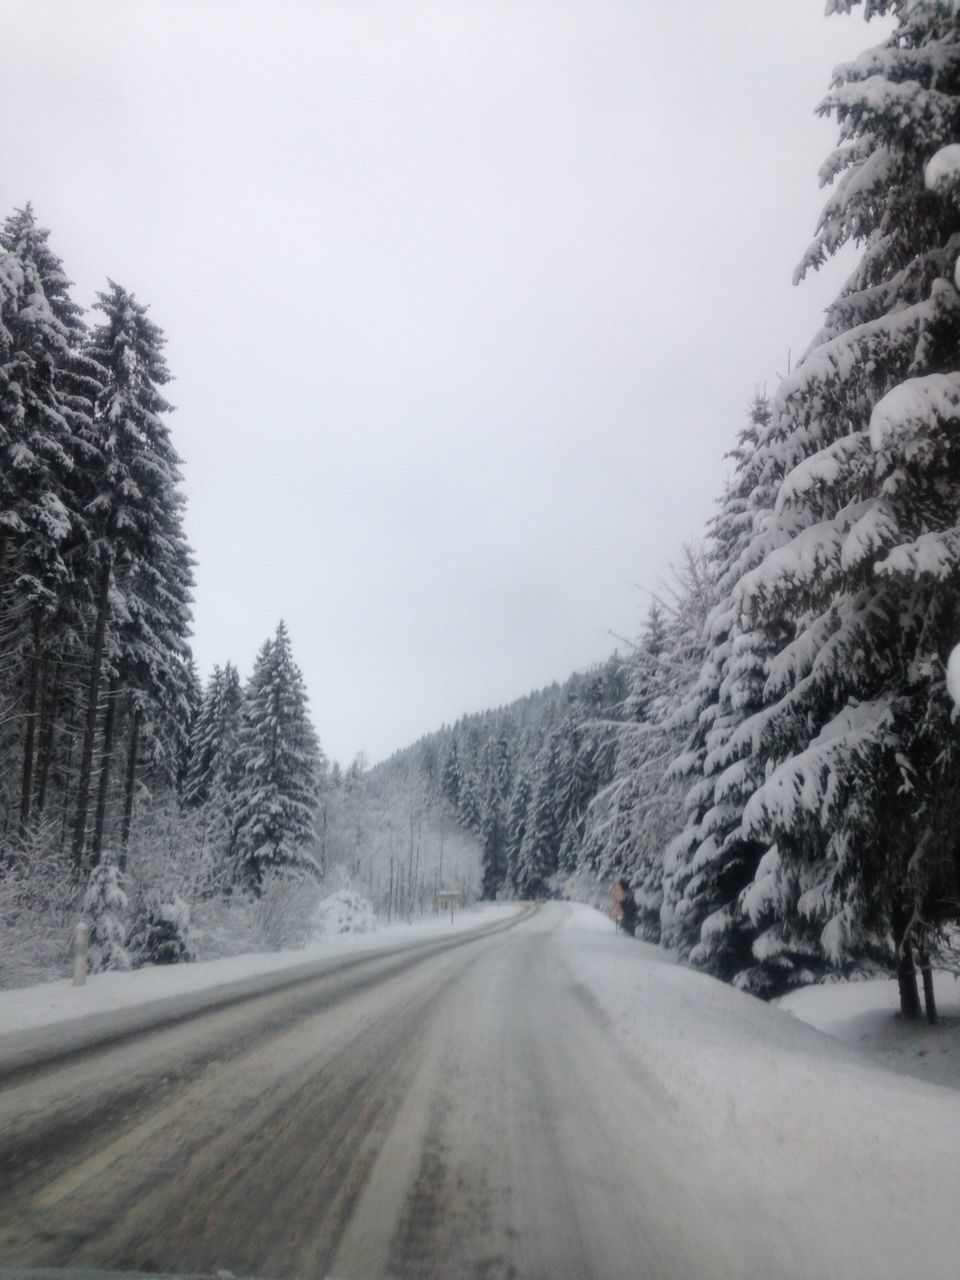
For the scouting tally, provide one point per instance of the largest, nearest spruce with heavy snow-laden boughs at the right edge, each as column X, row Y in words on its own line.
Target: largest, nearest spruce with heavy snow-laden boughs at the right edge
column 863, row 557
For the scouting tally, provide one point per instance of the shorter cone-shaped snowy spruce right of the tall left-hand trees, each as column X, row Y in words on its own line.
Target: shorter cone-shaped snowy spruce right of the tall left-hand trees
column 278, row 771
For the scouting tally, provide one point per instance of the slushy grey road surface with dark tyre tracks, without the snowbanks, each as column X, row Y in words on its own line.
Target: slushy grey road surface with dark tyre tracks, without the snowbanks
column 447, row 1109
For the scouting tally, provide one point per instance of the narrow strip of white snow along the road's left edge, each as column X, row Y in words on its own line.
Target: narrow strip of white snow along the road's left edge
column 47, row 1004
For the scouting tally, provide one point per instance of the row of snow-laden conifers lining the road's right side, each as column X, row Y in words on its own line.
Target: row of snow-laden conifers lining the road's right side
column 785, row 793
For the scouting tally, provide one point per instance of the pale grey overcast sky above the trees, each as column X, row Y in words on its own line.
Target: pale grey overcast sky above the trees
column 464, row 300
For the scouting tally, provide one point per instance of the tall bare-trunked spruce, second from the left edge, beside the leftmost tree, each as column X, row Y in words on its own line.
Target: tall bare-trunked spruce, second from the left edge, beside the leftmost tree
column 138, row 554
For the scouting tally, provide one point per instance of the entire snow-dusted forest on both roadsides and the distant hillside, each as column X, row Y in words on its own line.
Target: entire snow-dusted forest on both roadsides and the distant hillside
column 771, row 767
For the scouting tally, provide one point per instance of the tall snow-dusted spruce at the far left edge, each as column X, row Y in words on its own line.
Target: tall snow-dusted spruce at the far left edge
column 47, row 394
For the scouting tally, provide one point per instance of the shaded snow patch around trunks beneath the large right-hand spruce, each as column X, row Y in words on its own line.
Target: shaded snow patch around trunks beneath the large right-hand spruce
column 866, row 1016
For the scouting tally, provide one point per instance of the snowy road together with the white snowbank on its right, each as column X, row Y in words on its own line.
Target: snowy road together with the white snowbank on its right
column 538, row 1099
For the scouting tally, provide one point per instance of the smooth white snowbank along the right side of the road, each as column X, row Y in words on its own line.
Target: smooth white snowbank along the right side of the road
column 822, row 1156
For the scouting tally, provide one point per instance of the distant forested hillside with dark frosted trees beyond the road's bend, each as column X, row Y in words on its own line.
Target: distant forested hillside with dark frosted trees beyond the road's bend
column 572, row 788
